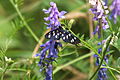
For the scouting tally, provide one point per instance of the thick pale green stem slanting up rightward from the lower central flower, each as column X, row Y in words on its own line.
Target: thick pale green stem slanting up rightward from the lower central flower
column 71, row 62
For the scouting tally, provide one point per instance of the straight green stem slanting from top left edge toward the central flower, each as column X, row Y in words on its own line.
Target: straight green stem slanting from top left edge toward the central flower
column 24, row 22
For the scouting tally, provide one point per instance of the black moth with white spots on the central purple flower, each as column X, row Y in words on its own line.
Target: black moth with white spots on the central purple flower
column 66, row 35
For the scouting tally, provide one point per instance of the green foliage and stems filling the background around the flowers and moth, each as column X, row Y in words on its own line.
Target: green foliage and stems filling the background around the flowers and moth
column 22, row 31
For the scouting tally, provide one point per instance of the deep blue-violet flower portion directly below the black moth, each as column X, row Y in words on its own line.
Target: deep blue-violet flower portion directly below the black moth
column 47, row 56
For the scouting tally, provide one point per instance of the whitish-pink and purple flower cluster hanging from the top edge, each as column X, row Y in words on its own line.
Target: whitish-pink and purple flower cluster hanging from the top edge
column 99, row 10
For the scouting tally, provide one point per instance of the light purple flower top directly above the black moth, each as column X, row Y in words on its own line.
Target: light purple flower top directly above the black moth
column 54, row 16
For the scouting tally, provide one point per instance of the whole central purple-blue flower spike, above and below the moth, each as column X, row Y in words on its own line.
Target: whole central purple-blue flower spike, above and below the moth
column 50, row 49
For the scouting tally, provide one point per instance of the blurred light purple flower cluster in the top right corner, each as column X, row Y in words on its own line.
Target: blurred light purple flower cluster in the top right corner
column 115, row 7
